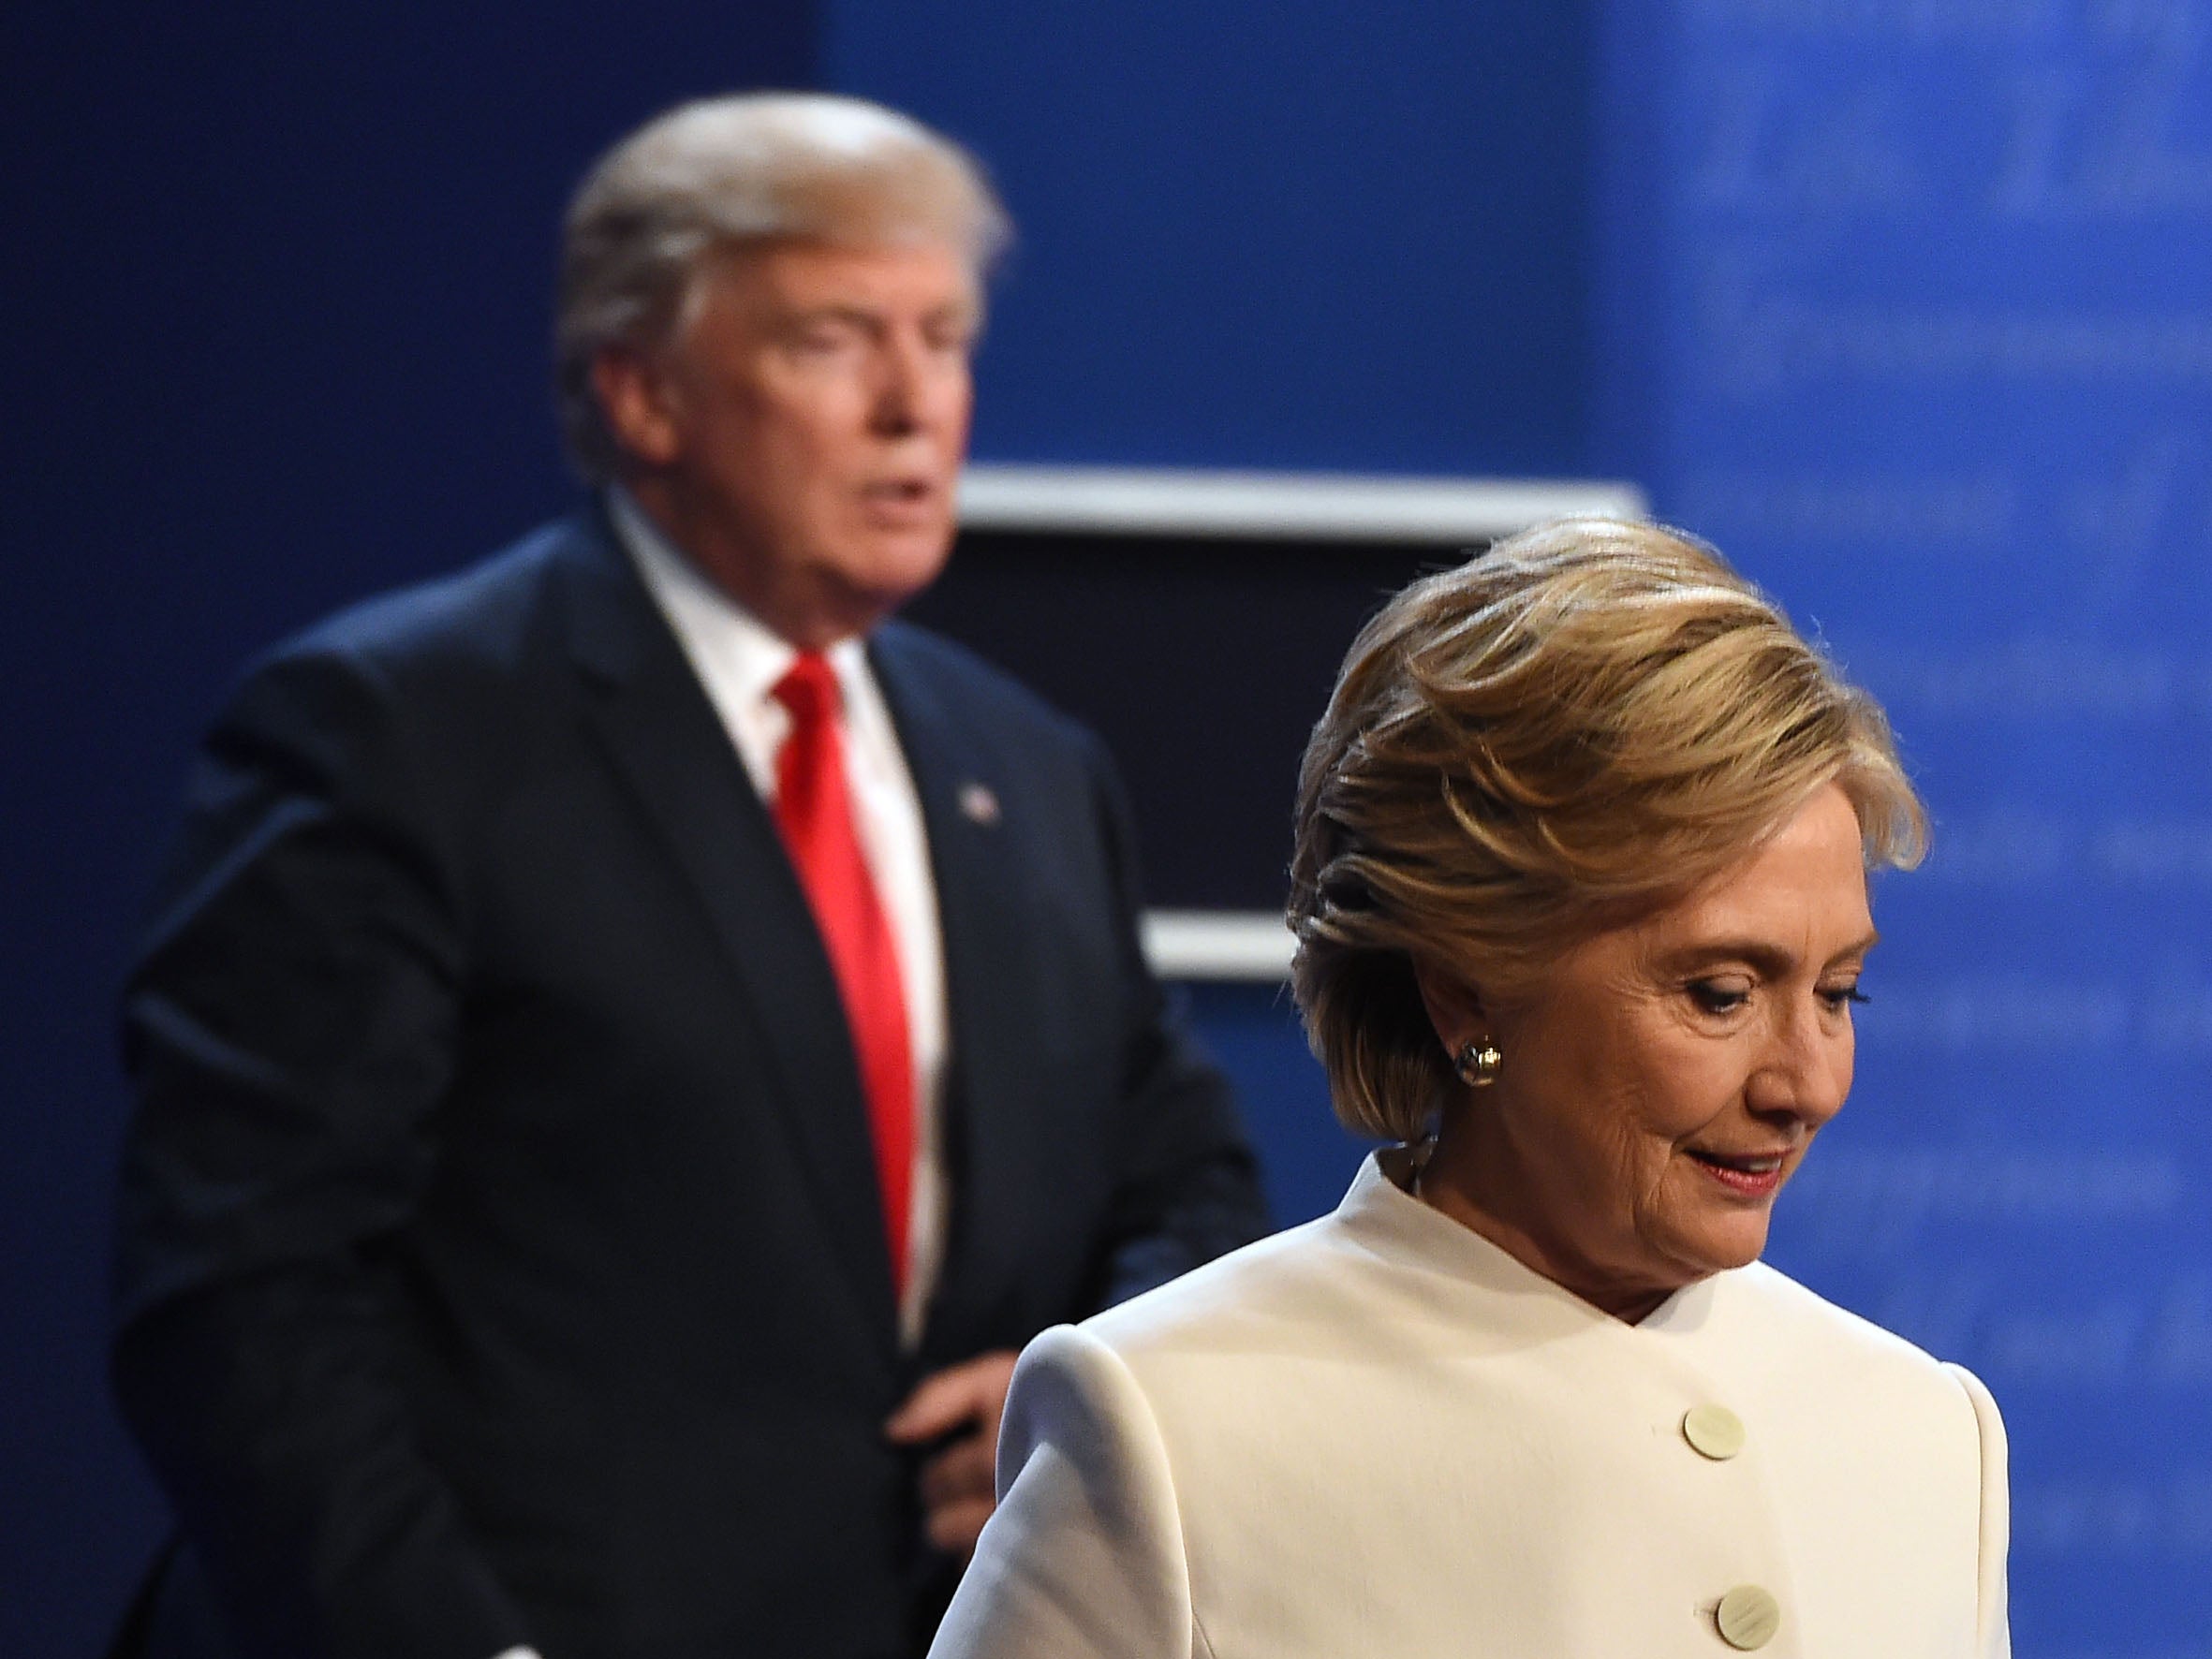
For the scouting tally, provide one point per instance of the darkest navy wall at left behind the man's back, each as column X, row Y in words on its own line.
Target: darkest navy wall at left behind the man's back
column 275, row 337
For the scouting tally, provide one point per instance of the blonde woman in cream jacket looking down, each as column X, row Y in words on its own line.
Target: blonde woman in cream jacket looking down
column 1580, row 897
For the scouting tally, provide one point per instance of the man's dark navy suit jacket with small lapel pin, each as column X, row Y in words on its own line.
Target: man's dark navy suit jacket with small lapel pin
column 499, row 1251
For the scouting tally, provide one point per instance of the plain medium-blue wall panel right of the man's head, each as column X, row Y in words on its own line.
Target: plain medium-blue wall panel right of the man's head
column 1277, row 233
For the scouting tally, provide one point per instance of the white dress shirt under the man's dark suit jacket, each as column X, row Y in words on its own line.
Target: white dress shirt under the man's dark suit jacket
column 740, row 662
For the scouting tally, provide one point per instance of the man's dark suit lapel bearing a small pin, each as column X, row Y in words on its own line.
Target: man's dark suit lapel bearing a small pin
column 994, row 1134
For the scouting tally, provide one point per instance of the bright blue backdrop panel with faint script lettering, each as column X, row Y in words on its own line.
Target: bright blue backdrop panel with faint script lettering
column 1910, row 309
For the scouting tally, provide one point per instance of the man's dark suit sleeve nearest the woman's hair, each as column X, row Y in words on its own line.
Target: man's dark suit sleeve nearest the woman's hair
column 1187, row 1182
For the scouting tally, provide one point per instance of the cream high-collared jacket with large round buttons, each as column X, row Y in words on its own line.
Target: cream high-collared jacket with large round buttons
column 1379, row 1434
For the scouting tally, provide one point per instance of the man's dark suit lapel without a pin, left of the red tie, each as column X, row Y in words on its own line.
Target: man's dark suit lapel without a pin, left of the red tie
column 669, row 747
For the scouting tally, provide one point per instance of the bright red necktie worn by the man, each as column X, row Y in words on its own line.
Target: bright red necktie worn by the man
column 815, row 817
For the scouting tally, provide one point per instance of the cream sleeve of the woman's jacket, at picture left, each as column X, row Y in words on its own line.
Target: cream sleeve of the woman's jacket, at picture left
column 1085, row 1556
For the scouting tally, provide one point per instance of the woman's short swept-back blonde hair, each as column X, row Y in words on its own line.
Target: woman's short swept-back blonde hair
column 1580, row 724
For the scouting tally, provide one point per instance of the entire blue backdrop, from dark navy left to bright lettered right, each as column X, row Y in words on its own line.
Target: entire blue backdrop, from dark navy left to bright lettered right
column 1908, row 304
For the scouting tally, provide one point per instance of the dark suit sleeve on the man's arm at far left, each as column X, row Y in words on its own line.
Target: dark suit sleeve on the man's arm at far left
column 291, row 1034
